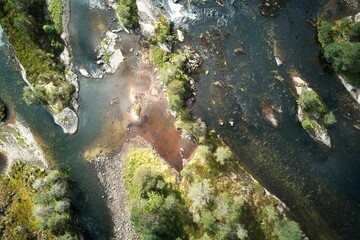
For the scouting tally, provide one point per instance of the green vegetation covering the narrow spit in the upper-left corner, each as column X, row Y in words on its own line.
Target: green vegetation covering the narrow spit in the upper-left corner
column 35, row 37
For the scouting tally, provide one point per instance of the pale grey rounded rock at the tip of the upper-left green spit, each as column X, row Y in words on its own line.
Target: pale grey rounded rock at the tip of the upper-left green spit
column 67, row 120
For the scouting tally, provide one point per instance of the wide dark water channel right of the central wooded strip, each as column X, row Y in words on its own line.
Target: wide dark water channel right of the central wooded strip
column 321, row 186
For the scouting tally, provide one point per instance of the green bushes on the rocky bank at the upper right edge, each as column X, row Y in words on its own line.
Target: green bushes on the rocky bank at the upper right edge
column 341, row 44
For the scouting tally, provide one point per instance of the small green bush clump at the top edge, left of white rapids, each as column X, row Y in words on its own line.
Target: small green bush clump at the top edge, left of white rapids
column 126, row 13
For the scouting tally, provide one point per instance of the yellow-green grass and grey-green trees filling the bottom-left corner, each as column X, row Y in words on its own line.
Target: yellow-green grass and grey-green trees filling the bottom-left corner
column 34, row 204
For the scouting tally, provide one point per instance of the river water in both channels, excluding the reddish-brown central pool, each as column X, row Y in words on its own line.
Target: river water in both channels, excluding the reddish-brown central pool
column 321, row 186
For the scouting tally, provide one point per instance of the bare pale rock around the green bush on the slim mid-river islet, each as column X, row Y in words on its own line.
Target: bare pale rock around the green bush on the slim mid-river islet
column 318, row 132
